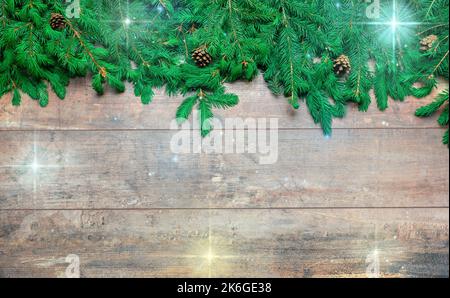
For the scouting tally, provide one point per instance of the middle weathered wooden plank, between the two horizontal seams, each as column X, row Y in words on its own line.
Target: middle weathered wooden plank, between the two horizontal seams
column 137, row 169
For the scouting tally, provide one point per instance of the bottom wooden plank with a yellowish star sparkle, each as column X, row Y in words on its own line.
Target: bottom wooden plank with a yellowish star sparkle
column 233, row 243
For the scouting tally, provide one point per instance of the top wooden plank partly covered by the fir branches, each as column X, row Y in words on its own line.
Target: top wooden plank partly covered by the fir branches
column 84, row 110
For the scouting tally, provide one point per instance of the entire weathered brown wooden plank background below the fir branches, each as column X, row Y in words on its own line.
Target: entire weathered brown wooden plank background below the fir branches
column 109, row 191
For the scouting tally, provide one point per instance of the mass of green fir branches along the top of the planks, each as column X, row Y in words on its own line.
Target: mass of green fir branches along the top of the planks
column 279, row 37
